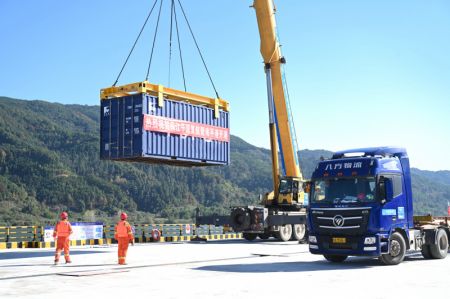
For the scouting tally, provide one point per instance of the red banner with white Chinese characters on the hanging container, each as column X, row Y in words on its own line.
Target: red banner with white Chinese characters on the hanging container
column 185, row 128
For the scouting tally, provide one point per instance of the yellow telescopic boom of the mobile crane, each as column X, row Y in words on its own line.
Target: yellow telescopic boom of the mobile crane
column 271, row 53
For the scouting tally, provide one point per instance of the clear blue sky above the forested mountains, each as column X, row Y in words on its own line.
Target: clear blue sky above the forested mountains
column 360, row 73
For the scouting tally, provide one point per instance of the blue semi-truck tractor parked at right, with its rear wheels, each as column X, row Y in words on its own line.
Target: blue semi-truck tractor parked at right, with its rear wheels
column 361, row 204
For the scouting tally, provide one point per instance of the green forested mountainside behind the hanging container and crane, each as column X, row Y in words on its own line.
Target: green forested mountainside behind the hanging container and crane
column 49, row 161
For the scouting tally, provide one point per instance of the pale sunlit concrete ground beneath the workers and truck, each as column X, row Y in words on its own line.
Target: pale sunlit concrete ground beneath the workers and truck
column 217, row 269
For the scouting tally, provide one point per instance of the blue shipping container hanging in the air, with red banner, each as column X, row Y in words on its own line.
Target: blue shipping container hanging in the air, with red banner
column 134, row 128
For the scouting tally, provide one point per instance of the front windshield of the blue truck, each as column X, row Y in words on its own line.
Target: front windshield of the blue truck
column 344, row 190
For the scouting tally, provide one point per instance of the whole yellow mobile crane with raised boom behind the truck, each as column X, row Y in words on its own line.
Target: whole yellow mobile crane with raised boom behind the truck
column 283, row 214
